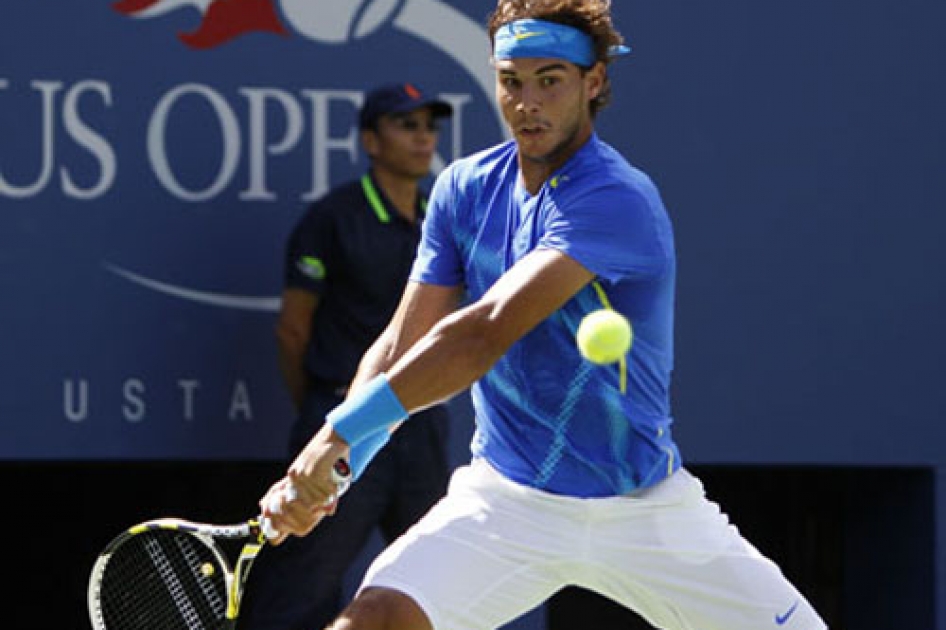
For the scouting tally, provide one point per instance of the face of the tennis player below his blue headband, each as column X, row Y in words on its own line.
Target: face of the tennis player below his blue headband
column 545, row 103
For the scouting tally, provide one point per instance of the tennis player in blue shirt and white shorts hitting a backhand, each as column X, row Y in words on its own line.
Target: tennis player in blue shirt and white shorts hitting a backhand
column 572, row 482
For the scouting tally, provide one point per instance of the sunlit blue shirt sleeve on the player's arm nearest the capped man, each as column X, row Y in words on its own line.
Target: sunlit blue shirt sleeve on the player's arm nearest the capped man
column 438, row 258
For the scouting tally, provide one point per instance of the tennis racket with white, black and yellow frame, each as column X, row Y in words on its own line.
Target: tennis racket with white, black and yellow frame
column 173, row 574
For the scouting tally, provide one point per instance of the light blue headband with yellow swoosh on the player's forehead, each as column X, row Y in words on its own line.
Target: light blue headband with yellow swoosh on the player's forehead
column 538, row 38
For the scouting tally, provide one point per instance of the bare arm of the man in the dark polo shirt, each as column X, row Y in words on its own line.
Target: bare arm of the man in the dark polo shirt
column 293, row 331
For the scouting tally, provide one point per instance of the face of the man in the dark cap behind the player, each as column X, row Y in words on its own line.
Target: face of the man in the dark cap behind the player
column 403, row 144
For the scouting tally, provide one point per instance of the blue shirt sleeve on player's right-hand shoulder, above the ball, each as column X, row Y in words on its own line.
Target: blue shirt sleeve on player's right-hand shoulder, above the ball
column 615, row 232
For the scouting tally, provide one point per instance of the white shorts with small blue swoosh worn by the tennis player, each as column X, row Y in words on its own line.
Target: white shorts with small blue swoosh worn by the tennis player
column 492, row 549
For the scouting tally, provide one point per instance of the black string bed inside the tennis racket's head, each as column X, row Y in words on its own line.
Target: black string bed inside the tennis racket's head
column 163, row 579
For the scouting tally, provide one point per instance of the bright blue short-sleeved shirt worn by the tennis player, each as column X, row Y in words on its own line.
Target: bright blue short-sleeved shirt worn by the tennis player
column 546, row 417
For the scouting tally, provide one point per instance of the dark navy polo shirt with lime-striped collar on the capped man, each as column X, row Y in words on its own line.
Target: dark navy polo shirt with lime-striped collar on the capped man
column 354, row 251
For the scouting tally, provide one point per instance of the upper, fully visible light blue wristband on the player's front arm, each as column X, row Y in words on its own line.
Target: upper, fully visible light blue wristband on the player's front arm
column 375, row 406
